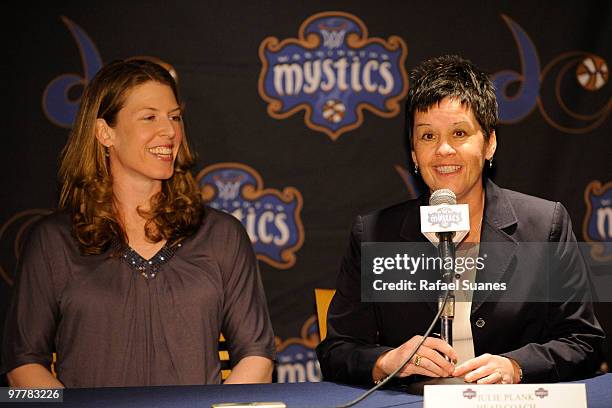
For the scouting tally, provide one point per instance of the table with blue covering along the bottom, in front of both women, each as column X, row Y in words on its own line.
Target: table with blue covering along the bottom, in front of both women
column 324, row 394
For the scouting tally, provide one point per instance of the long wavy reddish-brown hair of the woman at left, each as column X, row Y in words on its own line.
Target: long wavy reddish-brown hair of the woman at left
column 86, row 182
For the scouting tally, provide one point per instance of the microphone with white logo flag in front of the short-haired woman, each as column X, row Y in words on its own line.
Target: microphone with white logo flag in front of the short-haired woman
column 445, row 223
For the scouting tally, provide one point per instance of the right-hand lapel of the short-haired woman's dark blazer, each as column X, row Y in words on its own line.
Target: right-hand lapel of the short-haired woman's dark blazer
column 499, row 216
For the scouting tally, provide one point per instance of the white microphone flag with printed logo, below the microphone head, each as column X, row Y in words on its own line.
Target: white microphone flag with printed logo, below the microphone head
column 445, row 218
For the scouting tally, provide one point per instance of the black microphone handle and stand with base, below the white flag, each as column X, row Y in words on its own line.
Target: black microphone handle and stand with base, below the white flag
column 446, row 249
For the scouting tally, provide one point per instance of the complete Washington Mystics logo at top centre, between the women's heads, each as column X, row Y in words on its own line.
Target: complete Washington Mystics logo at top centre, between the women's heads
column 333, row 71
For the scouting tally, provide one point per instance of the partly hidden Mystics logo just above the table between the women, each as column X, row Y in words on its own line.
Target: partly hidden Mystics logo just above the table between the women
column 296, row 357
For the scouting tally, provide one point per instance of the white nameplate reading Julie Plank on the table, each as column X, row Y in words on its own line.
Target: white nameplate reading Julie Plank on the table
column 502, row 396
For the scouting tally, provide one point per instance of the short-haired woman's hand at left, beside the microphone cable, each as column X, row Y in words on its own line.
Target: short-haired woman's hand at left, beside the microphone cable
column 429, row 359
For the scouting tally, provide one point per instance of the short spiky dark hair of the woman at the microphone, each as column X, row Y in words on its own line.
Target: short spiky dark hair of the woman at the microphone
column 451, row 76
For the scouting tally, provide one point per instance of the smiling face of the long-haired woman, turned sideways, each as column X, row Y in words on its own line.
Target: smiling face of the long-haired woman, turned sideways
column 146, row 137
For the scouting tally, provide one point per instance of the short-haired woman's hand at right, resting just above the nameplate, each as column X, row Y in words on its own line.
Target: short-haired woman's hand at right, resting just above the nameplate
column 488, row 369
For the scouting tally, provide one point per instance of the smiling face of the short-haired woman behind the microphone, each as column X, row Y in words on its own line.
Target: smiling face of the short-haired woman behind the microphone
column 450, row 149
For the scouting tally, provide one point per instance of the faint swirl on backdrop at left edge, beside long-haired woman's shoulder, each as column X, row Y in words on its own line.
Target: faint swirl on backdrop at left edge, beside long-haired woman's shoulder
column 12, row 235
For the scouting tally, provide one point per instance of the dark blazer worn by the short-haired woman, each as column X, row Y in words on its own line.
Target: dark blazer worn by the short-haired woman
column 550, row 341
